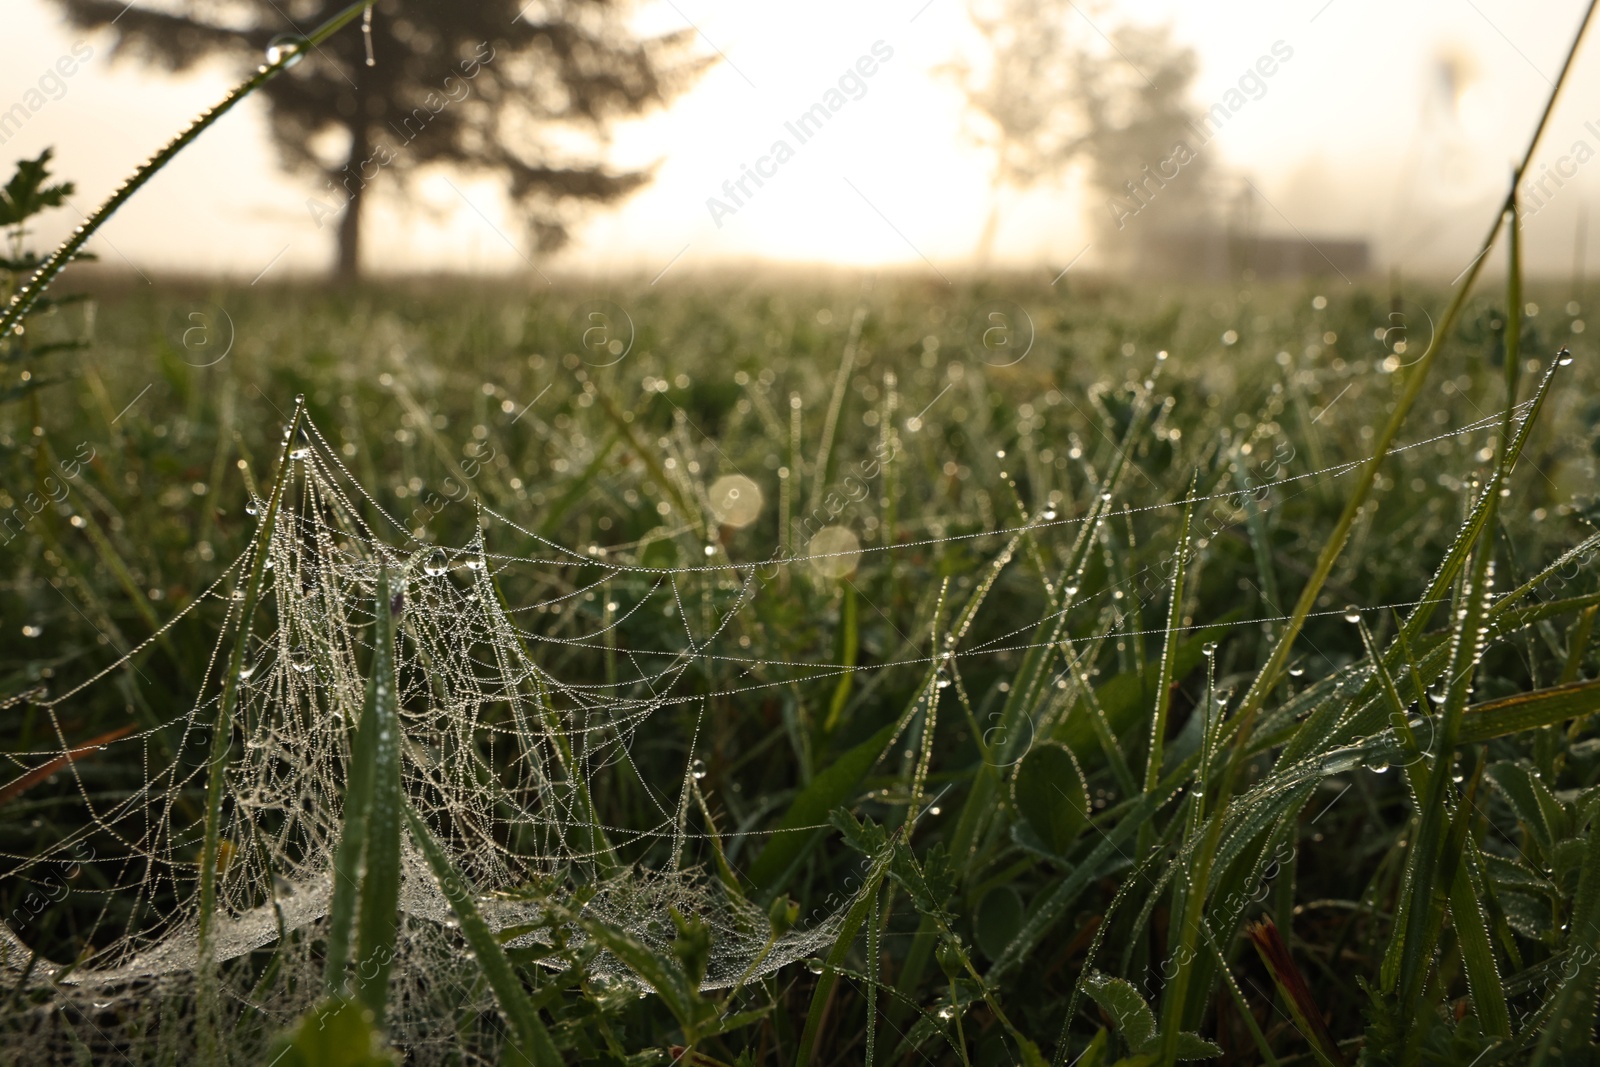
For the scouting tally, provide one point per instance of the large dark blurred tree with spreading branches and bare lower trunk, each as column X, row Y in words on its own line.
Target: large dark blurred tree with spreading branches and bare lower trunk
column 521, row 94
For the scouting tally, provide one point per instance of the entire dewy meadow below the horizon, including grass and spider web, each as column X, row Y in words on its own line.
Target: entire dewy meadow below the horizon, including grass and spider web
column 902, row 658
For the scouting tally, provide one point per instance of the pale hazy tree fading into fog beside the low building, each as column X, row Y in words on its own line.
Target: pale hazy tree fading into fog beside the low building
column 1054, row 90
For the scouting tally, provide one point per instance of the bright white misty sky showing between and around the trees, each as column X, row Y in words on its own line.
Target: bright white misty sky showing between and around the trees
column 1353, row 138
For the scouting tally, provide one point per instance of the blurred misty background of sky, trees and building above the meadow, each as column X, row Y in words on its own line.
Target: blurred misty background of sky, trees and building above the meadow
column 1319, row 137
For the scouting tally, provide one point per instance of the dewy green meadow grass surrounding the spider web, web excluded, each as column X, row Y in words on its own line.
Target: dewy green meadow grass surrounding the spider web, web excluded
column 988, row 901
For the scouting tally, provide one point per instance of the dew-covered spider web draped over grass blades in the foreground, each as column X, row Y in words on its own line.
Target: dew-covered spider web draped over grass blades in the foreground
column 502, row 748
